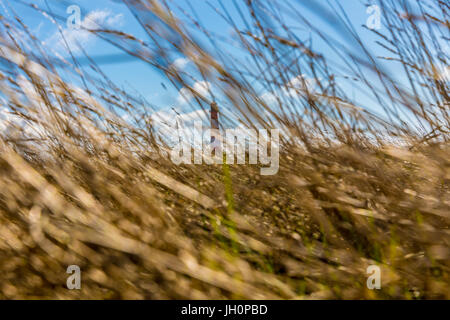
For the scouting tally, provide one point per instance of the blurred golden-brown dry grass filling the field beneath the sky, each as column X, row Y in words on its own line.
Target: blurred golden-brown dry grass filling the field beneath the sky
column 82, row 186
